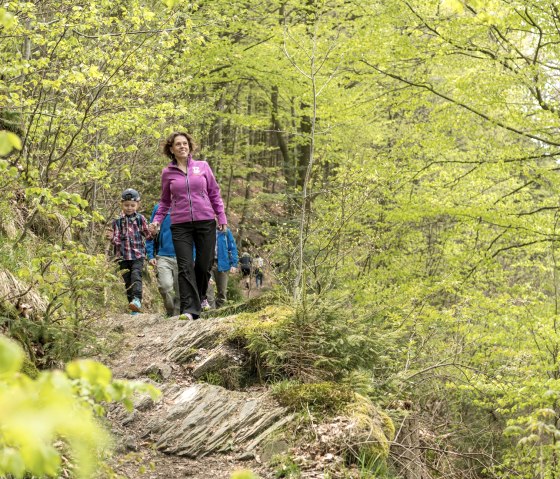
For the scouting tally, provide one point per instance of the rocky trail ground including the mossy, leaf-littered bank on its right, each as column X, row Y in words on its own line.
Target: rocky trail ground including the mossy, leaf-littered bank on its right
column 201, row 429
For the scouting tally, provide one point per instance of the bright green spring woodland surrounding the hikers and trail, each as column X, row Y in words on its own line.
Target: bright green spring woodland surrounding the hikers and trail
column 395, row 160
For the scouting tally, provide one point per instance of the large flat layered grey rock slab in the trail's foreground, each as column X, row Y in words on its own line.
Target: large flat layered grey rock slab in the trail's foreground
column 202, row 419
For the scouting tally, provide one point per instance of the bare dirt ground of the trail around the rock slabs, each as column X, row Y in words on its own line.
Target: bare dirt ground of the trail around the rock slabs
column 135, row 344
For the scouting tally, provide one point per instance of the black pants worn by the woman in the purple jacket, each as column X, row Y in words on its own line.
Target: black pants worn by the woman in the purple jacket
column 194, row 274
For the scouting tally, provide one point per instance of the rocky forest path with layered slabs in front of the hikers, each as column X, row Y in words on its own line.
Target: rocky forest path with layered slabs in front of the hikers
column 195, row 430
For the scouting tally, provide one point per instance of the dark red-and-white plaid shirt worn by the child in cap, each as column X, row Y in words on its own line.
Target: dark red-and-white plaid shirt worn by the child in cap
column 128, row 236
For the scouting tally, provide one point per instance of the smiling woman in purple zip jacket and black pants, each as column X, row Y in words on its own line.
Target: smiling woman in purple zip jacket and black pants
column 189, row 189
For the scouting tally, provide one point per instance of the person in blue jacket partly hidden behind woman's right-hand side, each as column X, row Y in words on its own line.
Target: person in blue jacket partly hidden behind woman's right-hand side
column 225, row 262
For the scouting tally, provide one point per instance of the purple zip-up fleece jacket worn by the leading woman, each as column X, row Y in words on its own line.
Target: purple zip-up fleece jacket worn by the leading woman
column 193, row 196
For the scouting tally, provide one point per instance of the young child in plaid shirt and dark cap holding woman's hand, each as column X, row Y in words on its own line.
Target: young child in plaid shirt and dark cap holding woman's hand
column 129, row 232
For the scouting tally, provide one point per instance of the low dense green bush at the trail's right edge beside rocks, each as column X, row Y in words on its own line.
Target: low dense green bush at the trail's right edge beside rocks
column 311, row 344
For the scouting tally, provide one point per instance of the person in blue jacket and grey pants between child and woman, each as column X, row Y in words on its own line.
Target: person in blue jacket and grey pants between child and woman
column 165, row 262
